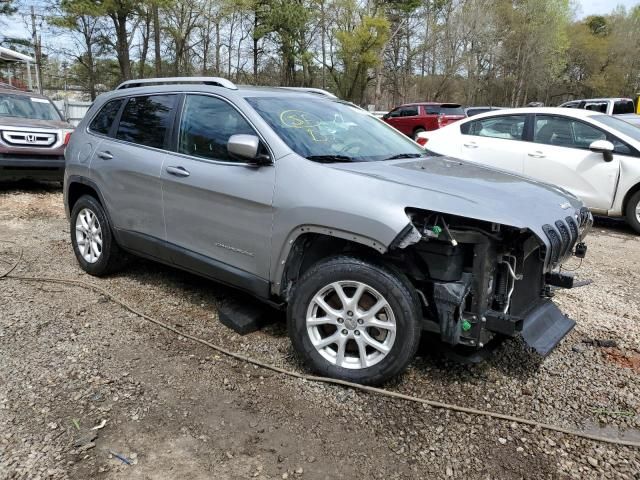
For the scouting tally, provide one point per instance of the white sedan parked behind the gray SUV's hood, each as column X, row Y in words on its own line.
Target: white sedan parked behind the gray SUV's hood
column 594, row 156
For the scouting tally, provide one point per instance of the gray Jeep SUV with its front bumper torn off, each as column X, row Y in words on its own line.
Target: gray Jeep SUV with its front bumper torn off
column 313, row 205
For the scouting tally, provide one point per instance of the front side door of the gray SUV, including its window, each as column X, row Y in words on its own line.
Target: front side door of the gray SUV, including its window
column 218, row 210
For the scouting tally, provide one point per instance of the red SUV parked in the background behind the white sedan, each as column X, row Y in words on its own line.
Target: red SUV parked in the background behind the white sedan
column 413, row 118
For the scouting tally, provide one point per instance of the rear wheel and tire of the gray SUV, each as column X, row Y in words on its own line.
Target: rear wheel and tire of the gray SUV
column 96, row 250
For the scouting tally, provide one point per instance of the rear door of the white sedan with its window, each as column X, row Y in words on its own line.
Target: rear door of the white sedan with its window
column 496, row 141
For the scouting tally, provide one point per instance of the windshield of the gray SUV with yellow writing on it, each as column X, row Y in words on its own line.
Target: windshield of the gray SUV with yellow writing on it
column 328, row 130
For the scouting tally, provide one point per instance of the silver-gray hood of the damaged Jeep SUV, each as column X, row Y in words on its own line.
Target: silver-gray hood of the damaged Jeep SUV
column 470, row 190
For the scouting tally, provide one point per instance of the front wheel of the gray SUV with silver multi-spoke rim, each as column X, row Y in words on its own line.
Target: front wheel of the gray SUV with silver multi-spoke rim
column 354, row 320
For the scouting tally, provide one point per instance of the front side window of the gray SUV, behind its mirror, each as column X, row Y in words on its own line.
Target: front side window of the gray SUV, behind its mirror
column 206, row 125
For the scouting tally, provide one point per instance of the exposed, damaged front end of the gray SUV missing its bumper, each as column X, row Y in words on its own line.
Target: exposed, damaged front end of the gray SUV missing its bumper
column 479, row 281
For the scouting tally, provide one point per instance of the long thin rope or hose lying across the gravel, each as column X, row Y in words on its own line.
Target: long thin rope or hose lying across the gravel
column 312, row 378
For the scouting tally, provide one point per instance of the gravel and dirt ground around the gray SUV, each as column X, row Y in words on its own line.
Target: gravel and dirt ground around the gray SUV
column 70, row 360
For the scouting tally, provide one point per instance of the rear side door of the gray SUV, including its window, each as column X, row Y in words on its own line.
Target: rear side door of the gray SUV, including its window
column 127, row 167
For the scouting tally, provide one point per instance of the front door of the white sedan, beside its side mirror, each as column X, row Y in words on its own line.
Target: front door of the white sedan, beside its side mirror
column 560, row 155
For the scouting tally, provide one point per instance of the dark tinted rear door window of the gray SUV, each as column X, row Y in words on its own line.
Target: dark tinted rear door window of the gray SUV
column 146, row 120
